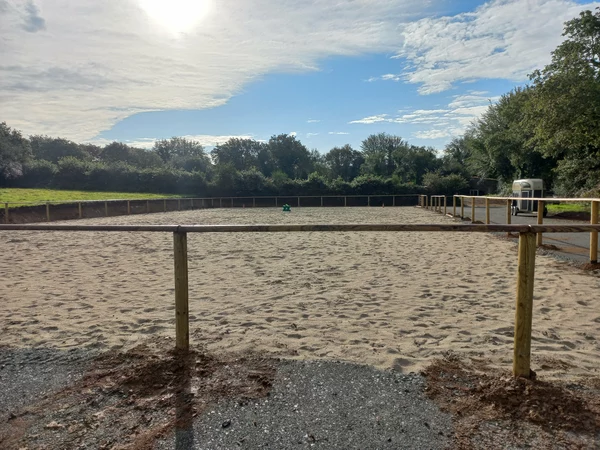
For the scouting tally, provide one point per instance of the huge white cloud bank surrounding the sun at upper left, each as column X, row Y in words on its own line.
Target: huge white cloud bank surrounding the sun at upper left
column 92, row 63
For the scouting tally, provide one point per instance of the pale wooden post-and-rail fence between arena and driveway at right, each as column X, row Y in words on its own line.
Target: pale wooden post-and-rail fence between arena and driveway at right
column 439, row 203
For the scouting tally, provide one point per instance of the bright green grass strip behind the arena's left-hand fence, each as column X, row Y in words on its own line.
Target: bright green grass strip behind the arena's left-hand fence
column 41, row 196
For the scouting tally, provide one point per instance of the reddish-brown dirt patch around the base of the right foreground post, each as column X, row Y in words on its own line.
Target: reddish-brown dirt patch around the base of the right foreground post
column 492, row 409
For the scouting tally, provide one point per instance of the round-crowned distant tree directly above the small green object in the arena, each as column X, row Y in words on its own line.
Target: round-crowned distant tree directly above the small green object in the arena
column 290, row 156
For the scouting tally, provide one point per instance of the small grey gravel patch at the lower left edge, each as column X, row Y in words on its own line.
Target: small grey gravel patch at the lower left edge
column 28, row 374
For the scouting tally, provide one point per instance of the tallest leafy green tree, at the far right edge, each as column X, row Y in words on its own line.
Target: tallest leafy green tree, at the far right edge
column 564, row 111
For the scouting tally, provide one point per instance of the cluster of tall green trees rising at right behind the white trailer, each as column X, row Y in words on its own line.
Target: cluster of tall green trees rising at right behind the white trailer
column 549, row 128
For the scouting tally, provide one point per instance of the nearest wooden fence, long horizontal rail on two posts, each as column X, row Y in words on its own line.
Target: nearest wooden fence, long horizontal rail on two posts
column 525, row 263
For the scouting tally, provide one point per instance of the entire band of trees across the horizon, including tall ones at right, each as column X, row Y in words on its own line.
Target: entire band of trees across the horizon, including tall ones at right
column 547, row 129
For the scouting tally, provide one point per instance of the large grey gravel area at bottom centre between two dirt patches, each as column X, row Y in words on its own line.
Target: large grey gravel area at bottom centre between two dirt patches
column 327, row 405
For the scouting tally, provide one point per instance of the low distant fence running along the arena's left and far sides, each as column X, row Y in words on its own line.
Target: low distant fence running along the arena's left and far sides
column 115, row 207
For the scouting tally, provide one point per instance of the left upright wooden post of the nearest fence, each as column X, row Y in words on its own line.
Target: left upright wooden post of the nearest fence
column 182, row 326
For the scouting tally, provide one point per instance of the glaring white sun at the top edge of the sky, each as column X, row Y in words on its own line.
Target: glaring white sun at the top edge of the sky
column 177, row 16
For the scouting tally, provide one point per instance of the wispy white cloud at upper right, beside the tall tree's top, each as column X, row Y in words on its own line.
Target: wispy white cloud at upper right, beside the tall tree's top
column 504, row 39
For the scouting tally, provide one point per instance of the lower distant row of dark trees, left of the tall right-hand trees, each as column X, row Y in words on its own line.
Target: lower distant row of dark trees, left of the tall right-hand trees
column 385, row 164
